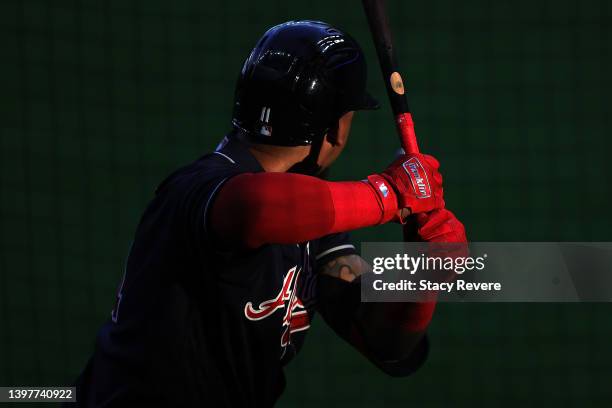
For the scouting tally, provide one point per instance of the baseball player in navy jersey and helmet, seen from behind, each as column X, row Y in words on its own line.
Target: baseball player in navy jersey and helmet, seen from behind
column 240, row 249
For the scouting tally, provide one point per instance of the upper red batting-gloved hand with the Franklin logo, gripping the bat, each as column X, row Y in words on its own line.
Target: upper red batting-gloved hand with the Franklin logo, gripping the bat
column 416, row 182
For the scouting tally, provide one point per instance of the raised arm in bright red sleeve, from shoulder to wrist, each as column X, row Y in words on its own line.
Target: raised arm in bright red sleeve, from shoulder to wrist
column 283, row 208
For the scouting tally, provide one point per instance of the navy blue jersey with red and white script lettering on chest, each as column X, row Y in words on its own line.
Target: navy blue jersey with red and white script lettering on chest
column 199, row 325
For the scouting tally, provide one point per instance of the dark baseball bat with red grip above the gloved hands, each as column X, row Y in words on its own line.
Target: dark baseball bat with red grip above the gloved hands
column 378, row 21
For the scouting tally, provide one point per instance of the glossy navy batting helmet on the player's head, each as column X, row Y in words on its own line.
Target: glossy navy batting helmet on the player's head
column 300, row 78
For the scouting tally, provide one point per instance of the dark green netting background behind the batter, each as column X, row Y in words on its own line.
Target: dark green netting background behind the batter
column 101, row 99
